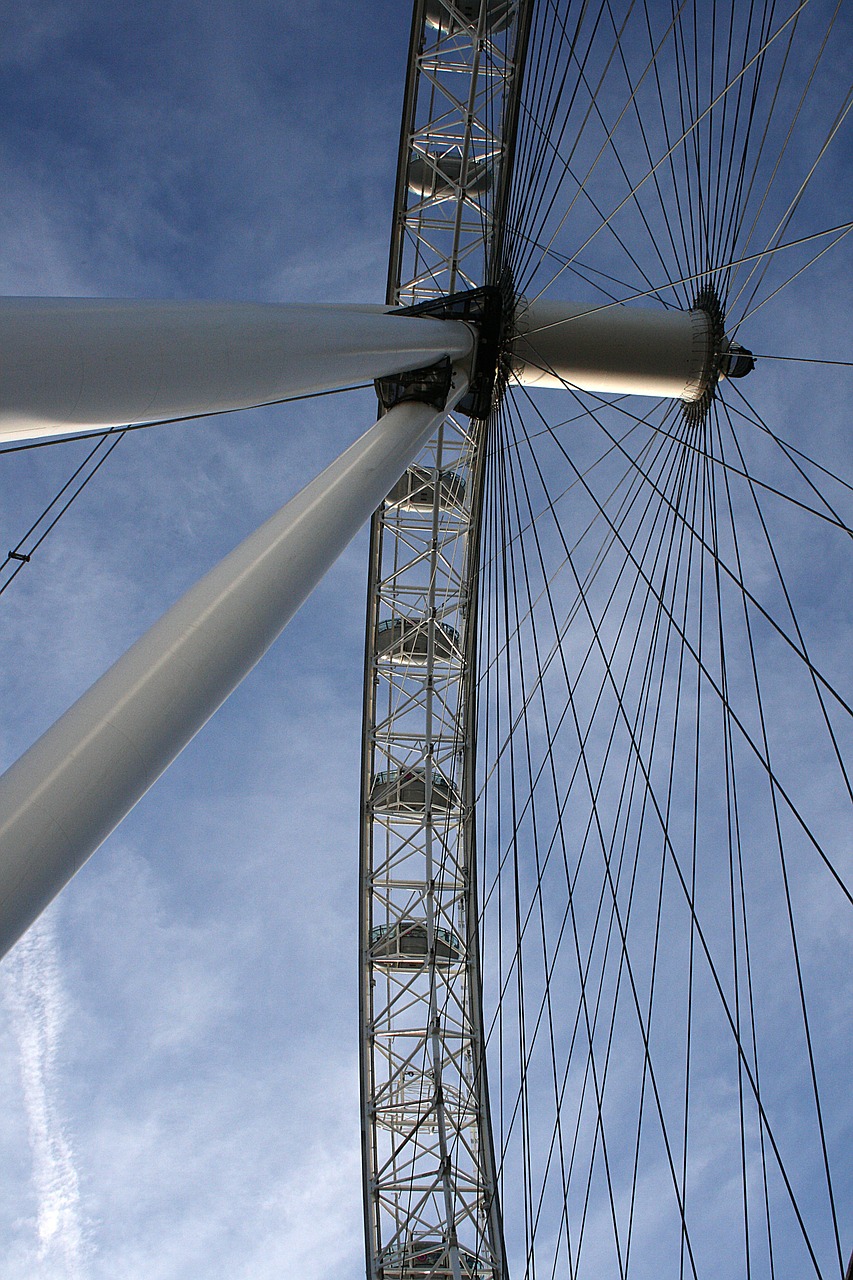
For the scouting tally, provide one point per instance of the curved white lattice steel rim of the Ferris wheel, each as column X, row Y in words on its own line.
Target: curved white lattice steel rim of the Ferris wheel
column 431, row 1205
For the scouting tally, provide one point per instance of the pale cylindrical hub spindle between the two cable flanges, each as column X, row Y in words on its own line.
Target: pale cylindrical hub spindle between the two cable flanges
column 614, row 350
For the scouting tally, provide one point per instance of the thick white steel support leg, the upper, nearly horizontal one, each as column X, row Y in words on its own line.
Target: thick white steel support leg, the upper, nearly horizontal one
column 75, row 364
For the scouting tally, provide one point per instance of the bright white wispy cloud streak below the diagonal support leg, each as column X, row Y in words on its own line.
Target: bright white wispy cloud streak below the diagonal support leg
column 34, row 994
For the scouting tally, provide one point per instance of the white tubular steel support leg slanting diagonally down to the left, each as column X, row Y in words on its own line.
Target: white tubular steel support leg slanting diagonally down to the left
column 76, row 784
